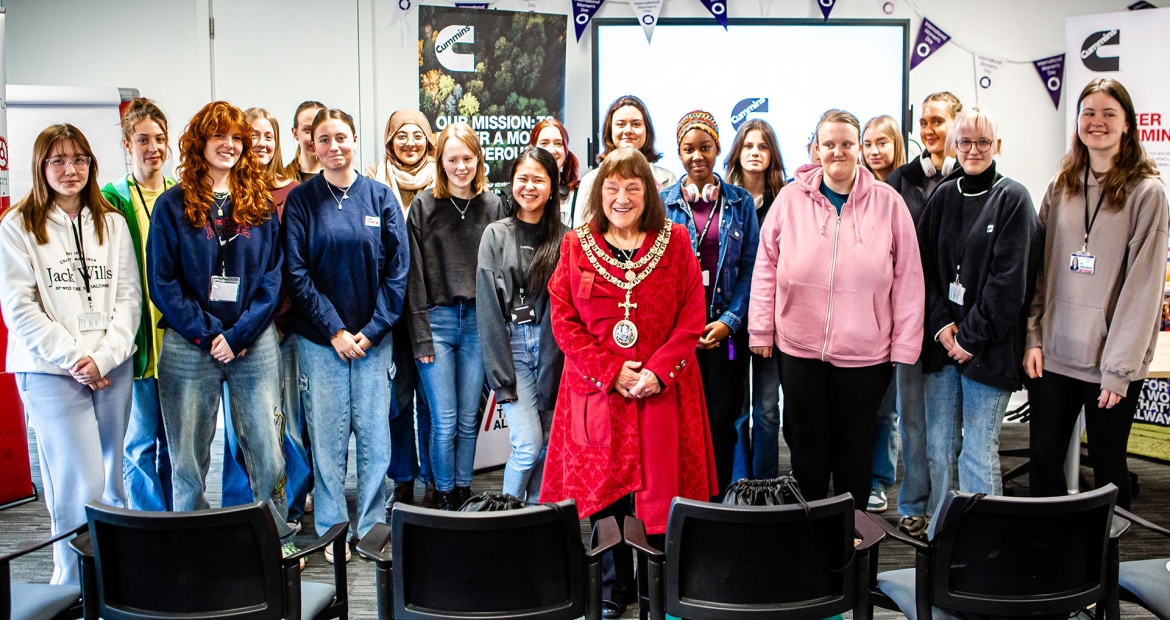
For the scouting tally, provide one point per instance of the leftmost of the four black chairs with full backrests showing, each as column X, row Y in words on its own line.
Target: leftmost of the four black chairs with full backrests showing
column 207, row 564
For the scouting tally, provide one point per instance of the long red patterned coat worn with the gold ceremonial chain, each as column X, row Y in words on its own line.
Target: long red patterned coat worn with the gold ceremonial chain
column 605, row 446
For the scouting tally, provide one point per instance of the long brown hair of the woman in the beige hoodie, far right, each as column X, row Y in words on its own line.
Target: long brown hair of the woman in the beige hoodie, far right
column 1132, row 164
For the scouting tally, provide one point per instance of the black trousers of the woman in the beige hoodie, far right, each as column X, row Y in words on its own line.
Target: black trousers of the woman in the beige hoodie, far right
column 1056, row 401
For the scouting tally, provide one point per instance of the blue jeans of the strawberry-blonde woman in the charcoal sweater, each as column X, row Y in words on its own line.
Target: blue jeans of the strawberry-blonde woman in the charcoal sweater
column 455, row 384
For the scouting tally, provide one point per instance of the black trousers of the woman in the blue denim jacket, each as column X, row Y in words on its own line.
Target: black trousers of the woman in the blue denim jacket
column 724, row 370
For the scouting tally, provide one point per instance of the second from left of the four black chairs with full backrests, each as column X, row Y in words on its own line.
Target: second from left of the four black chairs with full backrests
column 528, row 563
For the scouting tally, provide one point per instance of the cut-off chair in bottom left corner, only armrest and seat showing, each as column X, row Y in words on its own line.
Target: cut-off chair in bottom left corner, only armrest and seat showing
column 38, row 602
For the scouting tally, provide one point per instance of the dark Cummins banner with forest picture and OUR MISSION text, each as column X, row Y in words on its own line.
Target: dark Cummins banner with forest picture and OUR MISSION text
column 498, row 71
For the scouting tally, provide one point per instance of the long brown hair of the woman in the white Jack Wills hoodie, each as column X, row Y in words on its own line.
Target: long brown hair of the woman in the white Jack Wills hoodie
column 38, row 203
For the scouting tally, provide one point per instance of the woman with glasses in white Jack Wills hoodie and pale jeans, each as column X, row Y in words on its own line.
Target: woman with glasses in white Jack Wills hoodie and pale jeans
column 71, row 295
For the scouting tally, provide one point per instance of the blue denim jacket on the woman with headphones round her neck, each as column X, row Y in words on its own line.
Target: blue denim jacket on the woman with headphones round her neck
column 739, row 240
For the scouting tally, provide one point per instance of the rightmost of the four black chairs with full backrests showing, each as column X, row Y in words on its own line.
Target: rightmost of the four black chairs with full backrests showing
column 1009, row 556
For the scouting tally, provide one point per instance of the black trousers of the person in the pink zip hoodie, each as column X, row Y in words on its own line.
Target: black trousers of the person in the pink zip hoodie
column 829, row 421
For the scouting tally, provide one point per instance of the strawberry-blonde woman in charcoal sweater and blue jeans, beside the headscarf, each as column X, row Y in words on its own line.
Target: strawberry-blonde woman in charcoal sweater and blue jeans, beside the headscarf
column 445, row 226
